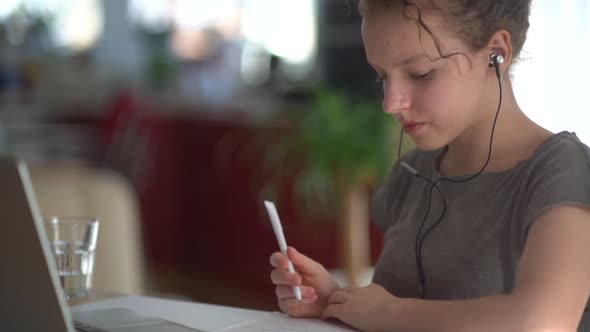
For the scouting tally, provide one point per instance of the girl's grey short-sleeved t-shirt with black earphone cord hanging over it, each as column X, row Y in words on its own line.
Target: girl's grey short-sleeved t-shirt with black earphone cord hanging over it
column 476, row 248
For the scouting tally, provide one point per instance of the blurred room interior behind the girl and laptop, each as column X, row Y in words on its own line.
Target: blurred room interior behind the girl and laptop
column 171, row 121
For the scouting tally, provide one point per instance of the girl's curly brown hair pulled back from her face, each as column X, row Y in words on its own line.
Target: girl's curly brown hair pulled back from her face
column 474, row 21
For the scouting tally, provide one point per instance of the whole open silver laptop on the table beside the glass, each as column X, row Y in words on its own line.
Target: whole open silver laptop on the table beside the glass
column 31, row 298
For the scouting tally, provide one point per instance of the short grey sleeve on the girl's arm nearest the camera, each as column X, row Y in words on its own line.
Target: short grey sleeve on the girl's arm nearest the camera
column 559, row 175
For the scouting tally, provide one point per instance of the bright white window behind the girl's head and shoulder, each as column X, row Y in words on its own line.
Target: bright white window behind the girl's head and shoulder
column 551, row 83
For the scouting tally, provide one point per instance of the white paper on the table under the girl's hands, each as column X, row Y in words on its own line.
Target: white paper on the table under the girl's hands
column 278, row 322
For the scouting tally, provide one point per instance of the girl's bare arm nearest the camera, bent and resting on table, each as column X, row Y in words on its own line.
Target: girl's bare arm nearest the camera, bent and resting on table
column 551, row 291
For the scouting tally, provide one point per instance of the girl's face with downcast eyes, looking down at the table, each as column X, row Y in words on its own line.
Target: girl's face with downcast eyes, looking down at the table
column 435, row 101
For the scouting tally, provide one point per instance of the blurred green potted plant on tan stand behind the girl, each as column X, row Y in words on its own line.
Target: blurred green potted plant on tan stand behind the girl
column 338, row 148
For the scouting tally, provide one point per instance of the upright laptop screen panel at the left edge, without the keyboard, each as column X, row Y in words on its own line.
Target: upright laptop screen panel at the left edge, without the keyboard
column 31, row 298
